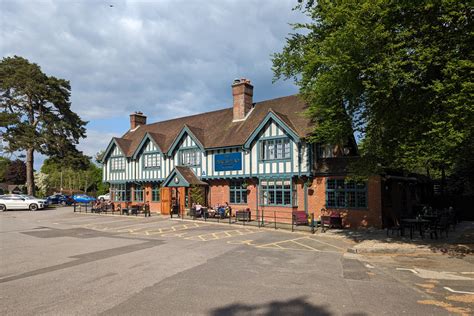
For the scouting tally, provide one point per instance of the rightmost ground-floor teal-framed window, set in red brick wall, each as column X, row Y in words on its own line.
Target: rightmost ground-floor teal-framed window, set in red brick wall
column 346, row 194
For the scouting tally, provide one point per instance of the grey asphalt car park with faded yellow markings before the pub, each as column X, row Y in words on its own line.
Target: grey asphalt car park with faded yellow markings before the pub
column 60, row 262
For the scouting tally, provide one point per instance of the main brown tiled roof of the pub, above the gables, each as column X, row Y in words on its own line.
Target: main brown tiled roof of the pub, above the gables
column 217, row 129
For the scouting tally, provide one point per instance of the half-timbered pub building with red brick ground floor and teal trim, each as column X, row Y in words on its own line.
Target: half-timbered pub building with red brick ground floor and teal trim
column 251, row 155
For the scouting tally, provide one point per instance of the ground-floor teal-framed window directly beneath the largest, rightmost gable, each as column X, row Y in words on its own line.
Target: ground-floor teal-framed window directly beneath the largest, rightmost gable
column 277, row 192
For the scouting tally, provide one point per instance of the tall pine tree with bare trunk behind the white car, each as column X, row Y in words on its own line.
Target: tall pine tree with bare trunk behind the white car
column 36, row 113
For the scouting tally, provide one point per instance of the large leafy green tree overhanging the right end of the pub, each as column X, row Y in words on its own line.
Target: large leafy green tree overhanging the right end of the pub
column 399, row 73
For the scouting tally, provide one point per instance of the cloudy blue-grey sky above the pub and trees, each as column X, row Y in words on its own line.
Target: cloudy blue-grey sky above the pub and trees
column 164, row 58
